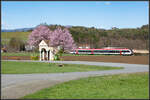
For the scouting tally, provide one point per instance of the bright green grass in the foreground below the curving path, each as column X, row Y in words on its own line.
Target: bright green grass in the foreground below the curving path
column 123, row 86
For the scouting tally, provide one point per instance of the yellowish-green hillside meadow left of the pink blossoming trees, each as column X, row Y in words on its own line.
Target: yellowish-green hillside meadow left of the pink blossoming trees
column 6, row 36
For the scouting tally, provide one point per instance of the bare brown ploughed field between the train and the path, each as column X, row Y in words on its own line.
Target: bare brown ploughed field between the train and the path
column 115, row 59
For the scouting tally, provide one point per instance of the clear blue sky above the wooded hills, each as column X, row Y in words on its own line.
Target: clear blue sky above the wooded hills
column 98, row 14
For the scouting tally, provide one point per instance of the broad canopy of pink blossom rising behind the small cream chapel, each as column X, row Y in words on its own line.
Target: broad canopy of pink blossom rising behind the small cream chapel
column 58, row 37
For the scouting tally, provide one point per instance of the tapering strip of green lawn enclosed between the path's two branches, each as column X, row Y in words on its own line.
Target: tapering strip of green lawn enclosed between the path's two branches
column 9, row 67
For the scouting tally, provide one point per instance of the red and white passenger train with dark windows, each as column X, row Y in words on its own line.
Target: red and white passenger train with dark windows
column 104, row 51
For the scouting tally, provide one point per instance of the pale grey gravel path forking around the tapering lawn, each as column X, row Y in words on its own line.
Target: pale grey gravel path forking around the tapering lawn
column 17, row 85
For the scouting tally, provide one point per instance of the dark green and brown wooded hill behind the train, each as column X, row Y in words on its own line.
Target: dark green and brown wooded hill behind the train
column 136, row 38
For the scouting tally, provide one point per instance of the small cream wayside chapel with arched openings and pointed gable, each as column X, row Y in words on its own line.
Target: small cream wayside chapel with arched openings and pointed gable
column 46, row 51
